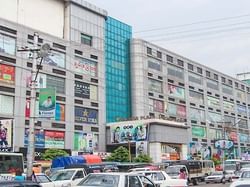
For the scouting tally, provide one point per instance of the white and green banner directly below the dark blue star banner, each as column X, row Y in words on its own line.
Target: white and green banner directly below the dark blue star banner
column 85, row 142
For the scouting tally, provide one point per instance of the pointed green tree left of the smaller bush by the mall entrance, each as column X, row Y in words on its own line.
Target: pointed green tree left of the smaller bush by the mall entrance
column 120, row 154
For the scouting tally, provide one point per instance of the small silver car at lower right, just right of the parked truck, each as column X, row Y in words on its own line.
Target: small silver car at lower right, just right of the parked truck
column 218, row 177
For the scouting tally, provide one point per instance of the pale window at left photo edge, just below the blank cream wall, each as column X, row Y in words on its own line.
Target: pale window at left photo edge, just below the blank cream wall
column 7, row 44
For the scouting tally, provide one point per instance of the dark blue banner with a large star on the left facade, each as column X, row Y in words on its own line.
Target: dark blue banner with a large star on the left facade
column 86, row 115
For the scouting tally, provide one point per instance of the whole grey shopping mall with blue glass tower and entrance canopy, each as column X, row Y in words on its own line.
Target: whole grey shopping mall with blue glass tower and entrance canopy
column 103, row 76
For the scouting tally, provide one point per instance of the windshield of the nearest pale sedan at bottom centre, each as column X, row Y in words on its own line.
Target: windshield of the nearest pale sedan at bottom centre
column 100, row 180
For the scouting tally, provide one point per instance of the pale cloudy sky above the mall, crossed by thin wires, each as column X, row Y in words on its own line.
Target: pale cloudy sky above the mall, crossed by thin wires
column 211, row 32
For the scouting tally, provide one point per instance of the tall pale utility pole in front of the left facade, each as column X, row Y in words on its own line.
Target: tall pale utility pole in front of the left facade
column 31, row 144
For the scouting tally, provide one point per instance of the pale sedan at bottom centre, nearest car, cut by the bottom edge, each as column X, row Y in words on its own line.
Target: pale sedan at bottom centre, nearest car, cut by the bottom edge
column 116, row 180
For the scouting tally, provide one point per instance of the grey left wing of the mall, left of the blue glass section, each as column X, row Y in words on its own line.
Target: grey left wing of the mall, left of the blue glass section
column 75, row 68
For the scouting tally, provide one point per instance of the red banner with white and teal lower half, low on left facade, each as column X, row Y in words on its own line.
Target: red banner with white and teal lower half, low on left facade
column 54, row 139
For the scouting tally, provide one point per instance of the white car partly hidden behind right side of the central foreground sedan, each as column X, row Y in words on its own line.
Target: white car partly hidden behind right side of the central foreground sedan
column 162, row 179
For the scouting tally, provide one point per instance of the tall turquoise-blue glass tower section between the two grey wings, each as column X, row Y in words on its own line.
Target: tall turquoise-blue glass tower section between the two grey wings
column 117, row 61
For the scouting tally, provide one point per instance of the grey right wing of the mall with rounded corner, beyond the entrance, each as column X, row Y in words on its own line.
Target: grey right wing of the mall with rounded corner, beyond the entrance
column 170, row 86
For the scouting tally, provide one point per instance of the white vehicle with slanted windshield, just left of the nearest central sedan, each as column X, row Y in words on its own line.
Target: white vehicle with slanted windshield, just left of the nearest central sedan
column 67, row 177
